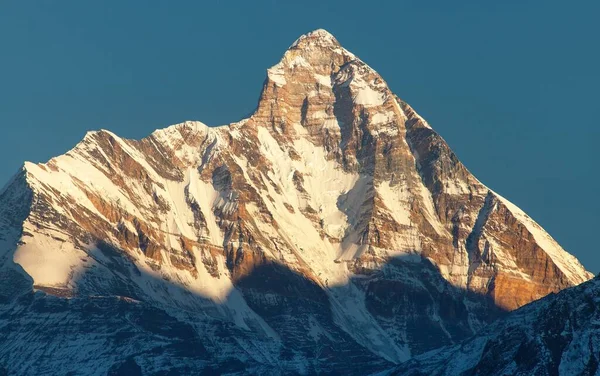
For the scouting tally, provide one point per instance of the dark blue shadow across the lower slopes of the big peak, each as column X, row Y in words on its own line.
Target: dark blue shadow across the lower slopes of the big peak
column 275, row 321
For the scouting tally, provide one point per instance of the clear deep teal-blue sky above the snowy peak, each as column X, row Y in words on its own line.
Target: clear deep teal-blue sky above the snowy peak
column 511, row 85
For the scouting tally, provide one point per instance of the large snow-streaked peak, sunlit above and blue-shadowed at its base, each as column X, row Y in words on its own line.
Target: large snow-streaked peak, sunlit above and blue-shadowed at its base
column 332, row 228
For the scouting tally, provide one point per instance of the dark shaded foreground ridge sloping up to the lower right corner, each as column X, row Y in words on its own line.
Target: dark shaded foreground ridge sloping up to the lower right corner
column 557, row 335
